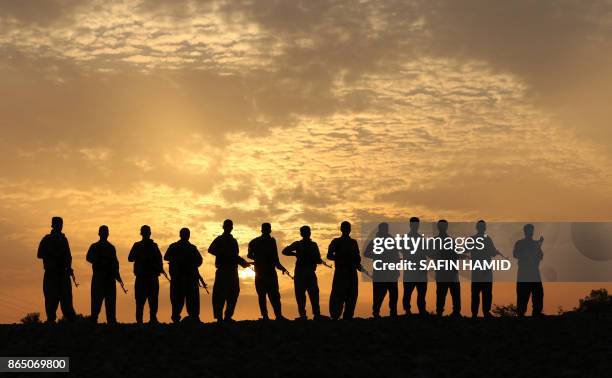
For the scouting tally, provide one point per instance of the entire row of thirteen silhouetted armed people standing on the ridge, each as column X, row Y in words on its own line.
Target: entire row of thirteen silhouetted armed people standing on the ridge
column 184, row 261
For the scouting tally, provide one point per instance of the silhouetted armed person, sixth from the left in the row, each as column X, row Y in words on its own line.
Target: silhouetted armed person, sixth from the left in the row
column 264, row 252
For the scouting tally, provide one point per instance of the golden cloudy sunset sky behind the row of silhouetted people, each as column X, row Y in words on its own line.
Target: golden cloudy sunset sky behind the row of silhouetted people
column 184, row 113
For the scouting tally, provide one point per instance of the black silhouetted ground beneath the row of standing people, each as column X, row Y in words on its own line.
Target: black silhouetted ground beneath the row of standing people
column 572, row 345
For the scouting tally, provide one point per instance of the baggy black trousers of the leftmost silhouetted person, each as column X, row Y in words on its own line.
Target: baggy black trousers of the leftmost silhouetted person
column 58, row 291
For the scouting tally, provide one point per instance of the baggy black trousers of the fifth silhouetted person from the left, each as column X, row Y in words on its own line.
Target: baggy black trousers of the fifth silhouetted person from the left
column 226, row 290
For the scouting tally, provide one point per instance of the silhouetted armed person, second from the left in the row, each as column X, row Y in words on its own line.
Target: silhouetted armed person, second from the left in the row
column 103, row 258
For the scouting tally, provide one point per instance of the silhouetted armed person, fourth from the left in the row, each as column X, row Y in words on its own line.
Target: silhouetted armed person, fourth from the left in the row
column 184, row 259
